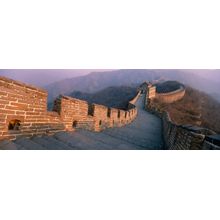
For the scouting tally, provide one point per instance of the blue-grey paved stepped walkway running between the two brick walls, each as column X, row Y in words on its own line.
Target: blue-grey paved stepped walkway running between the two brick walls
column 145, row 132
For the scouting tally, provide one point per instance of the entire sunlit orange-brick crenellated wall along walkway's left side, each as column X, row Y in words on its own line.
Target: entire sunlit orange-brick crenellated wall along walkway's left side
column 23, row 112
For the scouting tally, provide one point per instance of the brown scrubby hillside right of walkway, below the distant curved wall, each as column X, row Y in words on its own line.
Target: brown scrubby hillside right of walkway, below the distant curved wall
column 196, row 108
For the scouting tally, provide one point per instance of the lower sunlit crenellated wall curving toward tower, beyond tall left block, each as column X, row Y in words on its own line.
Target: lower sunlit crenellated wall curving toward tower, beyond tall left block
column 76, row 113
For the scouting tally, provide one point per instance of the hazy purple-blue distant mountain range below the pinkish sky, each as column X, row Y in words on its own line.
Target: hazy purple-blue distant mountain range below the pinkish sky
column 97, row 81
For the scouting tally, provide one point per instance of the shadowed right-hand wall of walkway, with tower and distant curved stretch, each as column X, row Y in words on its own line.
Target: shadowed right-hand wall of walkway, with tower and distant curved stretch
column 179, row 137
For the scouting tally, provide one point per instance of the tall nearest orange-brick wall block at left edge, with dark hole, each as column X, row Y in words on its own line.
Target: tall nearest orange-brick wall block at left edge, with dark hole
column 23, row 111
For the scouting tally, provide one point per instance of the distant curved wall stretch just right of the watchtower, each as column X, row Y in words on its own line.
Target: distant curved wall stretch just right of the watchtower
column 171, row 96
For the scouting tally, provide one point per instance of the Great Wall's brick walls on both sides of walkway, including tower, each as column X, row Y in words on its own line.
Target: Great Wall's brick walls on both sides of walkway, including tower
column 24, row 112
